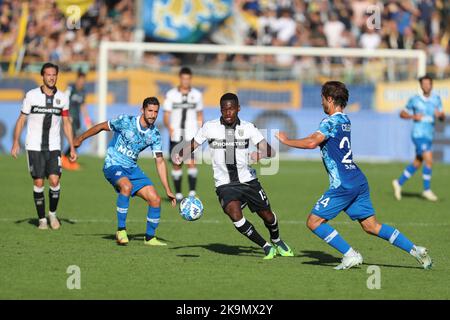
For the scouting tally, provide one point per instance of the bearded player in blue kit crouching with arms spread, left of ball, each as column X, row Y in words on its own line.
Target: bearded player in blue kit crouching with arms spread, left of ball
column 133, row 134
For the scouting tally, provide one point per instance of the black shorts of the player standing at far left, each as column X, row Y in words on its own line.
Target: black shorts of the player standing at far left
column 41, row 164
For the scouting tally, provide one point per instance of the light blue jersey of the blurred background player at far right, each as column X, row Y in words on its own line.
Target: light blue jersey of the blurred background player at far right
column 426, row 106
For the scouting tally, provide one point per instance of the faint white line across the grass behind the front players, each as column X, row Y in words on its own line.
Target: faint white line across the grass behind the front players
column 212, row 221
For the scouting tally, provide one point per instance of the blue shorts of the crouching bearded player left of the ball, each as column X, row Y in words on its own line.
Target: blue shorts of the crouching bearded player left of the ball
column 136, row 176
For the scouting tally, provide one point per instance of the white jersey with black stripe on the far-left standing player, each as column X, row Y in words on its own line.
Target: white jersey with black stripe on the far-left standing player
column 44, row 119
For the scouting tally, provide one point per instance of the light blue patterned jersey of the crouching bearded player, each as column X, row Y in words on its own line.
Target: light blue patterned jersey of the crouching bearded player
column 129, row 140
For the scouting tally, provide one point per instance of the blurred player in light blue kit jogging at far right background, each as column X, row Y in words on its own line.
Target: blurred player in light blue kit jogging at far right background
column 423, row 109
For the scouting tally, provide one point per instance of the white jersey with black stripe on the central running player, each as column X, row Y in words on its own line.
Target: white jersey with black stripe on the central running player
column 229, row 147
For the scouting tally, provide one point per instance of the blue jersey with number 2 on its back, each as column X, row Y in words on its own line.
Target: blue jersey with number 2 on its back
column 337, row 154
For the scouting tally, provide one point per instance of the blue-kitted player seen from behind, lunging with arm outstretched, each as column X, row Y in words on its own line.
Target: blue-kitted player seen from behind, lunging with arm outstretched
column 349, row 190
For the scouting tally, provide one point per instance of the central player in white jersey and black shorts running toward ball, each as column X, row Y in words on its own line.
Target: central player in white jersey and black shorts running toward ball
column 236, row 183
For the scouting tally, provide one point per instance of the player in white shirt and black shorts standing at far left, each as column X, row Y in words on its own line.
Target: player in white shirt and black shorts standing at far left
column 44, row 108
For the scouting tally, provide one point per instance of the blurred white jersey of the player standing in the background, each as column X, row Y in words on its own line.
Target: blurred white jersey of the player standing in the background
column 183, row 110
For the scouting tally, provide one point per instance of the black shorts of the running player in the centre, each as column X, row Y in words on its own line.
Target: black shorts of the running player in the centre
column 250, row 193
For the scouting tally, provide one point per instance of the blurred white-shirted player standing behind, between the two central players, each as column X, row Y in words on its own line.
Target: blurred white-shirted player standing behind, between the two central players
column 183, row 115
